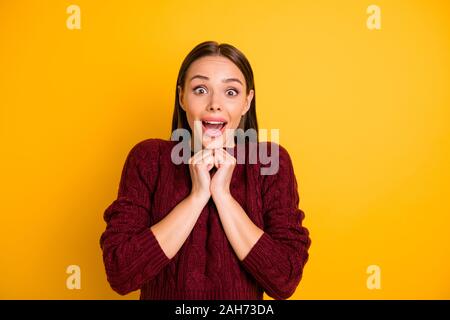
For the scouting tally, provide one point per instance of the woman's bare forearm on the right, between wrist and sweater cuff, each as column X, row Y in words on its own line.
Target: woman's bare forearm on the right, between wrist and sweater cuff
column 240, row 230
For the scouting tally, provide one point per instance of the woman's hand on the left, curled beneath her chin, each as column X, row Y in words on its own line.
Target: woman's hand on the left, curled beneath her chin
column 199, row 166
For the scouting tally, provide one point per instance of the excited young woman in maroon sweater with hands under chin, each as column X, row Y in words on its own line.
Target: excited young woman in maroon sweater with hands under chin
column 214, row 227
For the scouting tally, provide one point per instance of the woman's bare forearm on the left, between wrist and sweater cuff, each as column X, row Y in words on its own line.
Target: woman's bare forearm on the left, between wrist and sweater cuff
column 173, row 230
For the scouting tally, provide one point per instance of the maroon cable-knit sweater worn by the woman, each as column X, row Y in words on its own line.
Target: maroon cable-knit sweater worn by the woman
column 206, row 266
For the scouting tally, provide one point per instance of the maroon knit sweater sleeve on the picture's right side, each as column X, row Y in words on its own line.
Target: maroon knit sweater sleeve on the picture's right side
column 277, row 259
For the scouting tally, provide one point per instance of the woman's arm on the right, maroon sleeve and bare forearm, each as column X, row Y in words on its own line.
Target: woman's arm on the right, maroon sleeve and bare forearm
column 276, row 255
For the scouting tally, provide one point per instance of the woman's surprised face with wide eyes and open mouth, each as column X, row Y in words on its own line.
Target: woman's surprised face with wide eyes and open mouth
column 214, row 98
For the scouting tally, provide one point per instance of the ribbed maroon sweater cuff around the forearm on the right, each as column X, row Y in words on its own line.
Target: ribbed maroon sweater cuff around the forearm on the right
column 260, row 254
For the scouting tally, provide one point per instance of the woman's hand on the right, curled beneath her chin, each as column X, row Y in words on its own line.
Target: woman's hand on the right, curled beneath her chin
column 220, row 182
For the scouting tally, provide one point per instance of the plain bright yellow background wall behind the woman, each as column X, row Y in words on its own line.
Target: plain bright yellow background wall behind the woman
column 364, row 114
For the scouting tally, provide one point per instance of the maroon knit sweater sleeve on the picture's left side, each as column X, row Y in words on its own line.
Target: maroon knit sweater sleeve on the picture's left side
column 131, row 253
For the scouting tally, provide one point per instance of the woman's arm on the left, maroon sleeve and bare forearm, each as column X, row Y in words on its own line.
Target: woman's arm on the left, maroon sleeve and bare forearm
column 133, row 251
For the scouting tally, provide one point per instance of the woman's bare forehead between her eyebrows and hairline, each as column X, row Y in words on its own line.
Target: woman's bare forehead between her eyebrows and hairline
column 215, row 66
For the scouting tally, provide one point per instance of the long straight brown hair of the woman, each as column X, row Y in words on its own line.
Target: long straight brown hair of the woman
column 212, row 48
